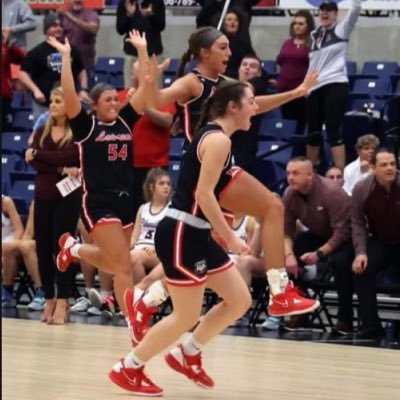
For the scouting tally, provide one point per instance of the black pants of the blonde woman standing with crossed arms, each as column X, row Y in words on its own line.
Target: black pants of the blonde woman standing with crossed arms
column 51, row 219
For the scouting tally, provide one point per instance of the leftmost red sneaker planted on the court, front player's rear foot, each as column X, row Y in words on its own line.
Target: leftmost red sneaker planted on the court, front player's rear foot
column 135, row 381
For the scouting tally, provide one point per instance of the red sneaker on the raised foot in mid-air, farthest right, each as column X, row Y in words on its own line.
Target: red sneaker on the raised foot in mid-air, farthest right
column 290, row 303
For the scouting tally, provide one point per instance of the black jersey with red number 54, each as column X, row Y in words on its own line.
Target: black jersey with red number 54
column 105, row 151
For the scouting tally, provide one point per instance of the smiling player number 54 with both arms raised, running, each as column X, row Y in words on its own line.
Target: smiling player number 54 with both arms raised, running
column 104, row 139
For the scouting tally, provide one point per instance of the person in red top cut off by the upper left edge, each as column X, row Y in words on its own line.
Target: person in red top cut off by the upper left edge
column 10, row 53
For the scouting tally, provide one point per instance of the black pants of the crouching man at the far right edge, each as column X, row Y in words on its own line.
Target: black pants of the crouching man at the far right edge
column 380, row 256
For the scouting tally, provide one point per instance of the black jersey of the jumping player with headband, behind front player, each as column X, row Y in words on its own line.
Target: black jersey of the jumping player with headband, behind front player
column 189, row 113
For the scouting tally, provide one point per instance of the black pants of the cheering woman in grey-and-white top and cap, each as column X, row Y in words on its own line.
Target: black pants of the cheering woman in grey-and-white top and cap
column 327, row 105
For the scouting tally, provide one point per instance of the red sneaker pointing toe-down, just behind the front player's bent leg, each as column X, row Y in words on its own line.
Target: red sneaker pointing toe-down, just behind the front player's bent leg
column 138, row 316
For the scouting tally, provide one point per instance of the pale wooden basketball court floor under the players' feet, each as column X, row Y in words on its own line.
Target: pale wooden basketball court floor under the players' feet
column 71, row 363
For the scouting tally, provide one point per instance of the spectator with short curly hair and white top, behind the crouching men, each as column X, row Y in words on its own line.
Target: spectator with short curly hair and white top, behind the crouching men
column 361, row 167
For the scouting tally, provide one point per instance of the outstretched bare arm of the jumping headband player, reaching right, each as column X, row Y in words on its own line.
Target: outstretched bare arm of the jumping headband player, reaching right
column 269, row 102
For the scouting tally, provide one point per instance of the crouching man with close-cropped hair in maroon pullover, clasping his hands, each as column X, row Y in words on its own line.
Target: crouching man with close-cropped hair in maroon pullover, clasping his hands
column 324, row 208
